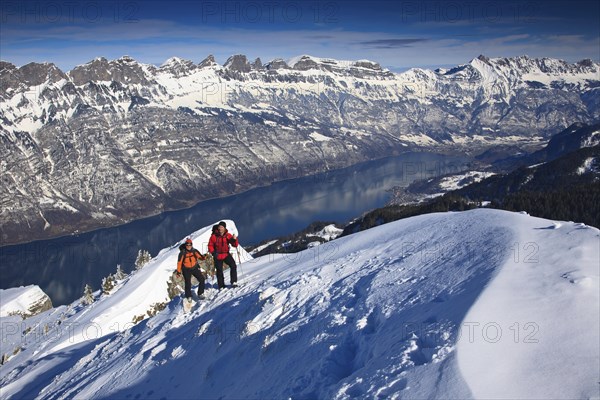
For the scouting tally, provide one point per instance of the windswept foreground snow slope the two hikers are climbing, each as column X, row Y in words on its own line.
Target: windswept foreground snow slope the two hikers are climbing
column 478, row 304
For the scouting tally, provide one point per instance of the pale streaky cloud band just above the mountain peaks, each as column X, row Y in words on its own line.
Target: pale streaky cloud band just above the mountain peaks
column 154, row 41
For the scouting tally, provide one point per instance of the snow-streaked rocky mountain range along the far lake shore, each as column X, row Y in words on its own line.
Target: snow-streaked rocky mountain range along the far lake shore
column 110, row 141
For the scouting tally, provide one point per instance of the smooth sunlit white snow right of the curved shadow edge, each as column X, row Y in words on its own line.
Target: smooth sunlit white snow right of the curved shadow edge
column 538, row 339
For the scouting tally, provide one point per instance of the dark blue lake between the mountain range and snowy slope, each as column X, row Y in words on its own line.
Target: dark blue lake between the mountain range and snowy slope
column 62, row 266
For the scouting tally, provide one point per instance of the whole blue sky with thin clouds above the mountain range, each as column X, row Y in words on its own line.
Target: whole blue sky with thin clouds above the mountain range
column 397, row 34
